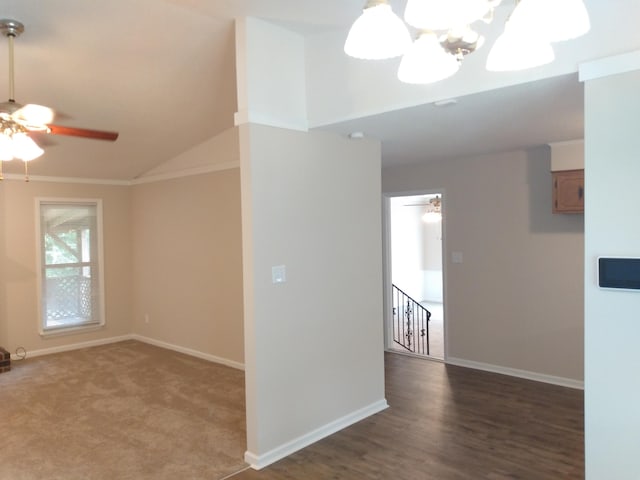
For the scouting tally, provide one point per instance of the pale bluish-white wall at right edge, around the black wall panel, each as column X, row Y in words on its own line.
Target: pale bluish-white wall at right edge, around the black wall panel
column 612, row 318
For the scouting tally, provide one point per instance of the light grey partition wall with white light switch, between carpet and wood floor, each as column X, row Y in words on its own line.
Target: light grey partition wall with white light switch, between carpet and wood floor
column 314, row 344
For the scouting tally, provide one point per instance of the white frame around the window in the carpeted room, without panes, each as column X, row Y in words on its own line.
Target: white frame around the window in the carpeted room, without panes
column 95, row 324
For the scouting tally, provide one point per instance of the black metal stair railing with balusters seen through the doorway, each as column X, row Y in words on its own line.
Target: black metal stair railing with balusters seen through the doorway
column 410, row 323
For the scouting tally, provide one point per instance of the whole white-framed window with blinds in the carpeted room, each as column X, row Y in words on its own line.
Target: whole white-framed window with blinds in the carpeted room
column 70, row 248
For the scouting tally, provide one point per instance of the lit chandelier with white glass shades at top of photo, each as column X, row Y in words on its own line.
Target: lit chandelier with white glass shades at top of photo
column 445, row 35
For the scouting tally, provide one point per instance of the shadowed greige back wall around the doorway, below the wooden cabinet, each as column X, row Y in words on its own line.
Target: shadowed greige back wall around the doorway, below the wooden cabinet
column 516, row 301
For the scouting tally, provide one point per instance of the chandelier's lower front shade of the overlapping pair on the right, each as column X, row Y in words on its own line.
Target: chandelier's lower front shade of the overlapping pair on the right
column 518, row 49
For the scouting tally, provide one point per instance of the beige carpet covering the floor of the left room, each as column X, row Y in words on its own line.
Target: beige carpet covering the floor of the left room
column 121, row 411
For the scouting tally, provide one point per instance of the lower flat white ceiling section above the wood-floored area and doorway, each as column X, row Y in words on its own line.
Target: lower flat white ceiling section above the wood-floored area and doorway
column 511, row 118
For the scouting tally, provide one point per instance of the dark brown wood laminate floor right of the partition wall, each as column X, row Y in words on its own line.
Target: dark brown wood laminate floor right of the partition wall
column 446, row 423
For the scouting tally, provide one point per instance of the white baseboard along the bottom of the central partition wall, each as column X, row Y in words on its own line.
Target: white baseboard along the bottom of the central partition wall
column 258, row 461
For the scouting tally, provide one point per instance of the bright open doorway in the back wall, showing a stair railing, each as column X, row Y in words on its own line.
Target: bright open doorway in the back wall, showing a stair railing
column 415, row 313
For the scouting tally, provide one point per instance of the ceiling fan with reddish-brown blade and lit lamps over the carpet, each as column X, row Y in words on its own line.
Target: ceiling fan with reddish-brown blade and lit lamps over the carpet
column 19, row 122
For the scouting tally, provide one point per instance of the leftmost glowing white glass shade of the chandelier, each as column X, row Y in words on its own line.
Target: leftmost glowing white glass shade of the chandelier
column 377, row 34
